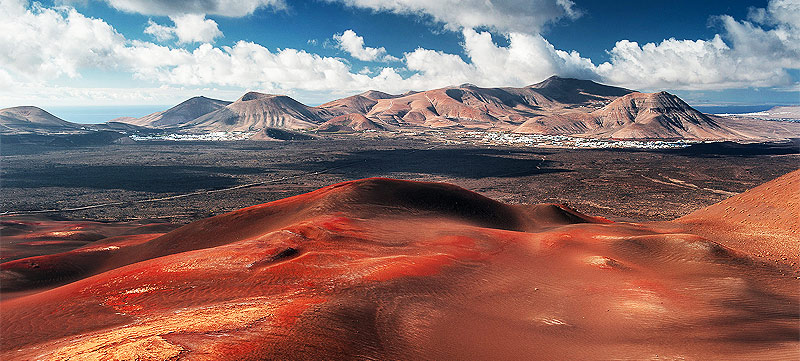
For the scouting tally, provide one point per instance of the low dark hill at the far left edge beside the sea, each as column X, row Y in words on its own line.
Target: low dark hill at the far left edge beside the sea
column 29, row 119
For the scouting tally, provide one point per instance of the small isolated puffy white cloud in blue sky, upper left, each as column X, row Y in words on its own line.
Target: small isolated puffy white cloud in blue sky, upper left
column 189, row 28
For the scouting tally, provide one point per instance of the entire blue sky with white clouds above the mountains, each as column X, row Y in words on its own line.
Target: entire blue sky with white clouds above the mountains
column 139, row 54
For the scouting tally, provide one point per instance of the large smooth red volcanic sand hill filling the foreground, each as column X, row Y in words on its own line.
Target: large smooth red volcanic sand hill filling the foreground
column 386, row 269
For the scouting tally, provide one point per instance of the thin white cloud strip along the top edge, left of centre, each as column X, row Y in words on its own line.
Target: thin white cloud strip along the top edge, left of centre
column 233, row 8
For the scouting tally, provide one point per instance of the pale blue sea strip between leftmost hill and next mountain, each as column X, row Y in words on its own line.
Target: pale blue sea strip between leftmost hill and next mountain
column 100, row 114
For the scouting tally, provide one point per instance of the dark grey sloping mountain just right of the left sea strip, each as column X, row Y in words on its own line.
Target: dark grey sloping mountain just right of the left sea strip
column 180, row 114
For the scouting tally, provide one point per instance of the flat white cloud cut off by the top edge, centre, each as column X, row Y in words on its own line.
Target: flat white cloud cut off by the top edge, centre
column 525, row 16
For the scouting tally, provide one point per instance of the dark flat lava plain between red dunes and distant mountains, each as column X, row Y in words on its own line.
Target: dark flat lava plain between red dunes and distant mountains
column 617, row 184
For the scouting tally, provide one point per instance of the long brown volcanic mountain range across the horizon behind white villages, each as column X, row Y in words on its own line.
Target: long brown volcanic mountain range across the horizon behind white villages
column 555, row 106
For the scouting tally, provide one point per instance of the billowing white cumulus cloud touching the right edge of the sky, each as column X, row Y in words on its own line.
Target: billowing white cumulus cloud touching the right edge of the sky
column 743, row 55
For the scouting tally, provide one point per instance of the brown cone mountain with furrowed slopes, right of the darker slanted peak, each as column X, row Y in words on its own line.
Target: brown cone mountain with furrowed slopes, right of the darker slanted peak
column 255, row 111
